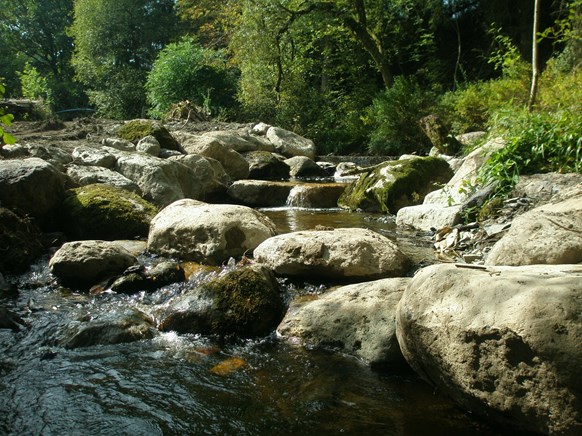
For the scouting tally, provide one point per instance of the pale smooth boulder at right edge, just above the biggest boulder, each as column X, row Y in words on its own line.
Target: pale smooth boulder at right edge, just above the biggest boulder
column 549, row 234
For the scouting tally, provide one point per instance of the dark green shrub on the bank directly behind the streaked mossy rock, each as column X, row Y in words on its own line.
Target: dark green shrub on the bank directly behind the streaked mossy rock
column 394, row 117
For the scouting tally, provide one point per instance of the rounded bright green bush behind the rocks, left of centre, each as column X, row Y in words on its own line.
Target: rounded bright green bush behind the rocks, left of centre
column 187, row 71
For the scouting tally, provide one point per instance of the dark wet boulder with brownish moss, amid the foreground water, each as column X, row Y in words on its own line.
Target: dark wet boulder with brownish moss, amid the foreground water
column 245, row 302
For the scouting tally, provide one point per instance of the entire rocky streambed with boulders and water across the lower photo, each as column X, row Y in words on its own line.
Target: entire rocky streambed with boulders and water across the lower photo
column 168, row 284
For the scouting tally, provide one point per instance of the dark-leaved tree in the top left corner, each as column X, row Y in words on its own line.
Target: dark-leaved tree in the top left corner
column 35, row 30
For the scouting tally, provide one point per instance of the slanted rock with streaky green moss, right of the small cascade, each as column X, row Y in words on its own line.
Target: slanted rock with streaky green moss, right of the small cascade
column 393, row 185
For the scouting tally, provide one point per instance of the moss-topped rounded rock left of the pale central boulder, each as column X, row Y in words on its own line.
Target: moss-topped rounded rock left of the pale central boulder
column 105, row 212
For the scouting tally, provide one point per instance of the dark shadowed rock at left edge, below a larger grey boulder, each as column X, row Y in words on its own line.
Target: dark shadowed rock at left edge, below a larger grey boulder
column 20, row 242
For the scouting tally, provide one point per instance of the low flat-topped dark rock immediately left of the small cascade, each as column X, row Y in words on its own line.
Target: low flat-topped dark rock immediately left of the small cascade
column 260, row 193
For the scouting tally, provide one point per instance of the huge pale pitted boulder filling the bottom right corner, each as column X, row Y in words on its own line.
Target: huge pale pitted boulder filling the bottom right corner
column 503, row 342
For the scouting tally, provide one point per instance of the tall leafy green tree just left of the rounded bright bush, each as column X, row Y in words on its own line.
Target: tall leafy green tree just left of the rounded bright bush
column 116, row 44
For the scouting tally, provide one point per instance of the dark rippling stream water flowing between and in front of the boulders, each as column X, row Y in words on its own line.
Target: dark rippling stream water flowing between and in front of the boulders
column 188, row 384
